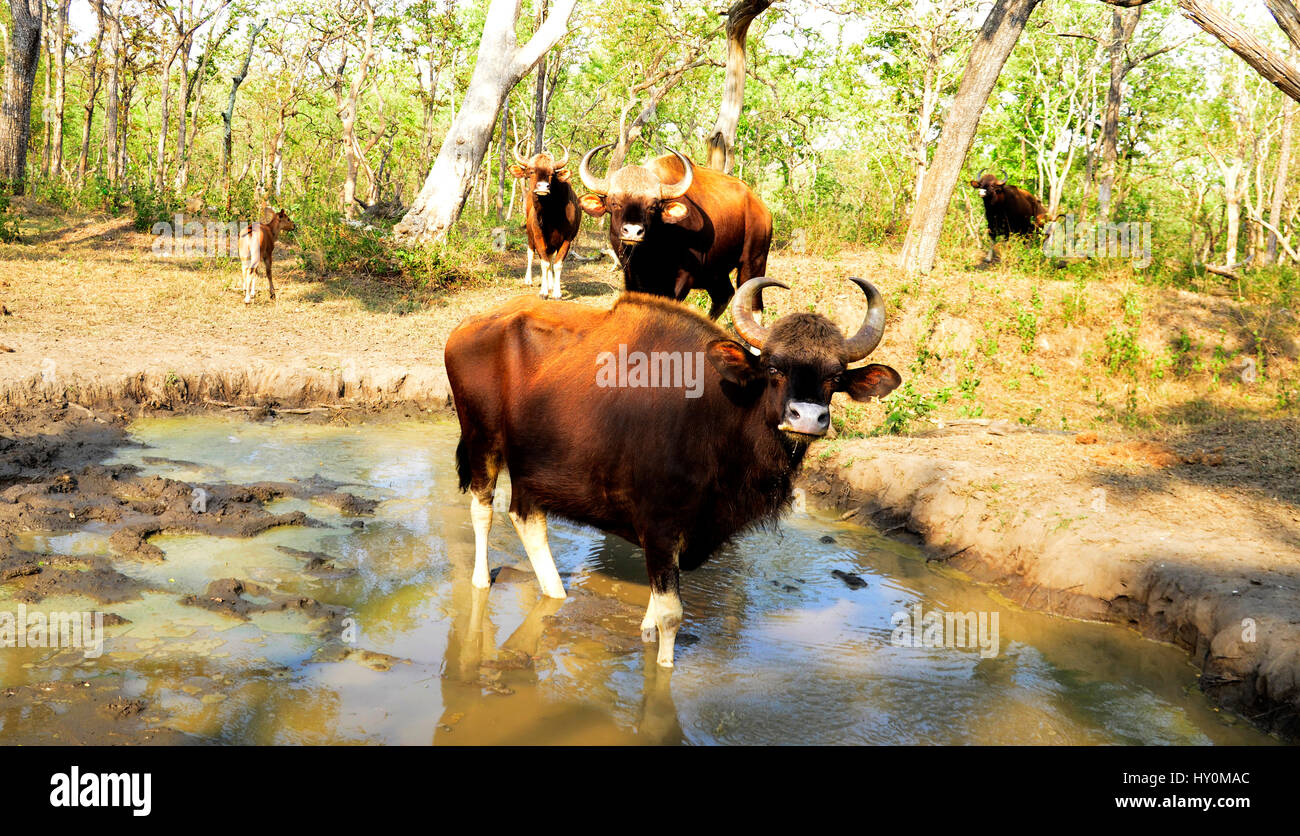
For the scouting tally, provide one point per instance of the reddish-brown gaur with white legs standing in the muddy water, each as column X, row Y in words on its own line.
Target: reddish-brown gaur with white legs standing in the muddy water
column 681, row 477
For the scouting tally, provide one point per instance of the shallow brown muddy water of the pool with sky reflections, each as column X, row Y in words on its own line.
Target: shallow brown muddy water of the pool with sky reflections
column 775, row 649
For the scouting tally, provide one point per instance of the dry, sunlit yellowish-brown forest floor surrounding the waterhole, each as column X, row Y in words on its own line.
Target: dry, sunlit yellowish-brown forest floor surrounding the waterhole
column 1090, row 444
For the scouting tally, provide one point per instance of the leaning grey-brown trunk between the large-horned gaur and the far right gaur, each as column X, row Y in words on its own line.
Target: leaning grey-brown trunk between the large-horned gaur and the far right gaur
column 993, row 47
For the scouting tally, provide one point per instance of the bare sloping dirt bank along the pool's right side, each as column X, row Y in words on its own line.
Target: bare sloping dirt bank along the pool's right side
column 1138, row 543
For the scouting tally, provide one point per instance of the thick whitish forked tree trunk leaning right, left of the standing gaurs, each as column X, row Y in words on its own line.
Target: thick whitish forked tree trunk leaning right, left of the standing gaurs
column 499, row 68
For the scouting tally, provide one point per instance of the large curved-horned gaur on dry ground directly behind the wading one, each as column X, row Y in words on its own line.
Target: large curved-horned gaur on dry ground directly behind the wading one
column 675, row 227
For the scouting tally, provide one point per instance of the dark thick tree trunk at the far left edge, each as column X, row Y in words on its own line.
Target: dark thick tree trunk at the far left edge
column 20, row 77
